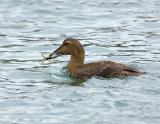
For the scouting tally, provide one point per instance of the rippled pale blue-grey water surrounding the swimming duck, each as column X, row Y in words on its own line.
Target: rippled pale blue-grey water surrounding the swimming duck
column 125, row 31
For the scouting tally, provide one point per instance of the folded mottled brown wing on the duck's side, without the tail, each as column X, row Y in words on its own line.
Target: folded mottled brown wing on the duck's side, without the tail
column 105, row 69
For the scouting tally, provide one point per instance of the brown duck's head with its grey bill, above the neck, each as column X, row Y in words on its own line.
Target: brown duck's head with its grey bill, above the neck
column 69, row 47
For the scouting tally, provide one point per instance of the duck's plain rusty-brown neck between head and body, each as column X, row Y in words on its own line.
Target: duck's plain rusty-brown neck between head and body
column 75, row 61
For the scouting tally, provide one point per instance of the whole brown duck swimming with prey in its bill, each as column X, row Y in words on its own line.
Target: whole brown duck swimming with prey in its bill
column 78, row 68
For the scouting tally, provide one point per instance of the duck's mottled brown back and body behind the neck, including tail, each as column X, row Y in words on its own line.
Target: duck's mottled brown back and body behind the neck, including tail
column 105, row 69
